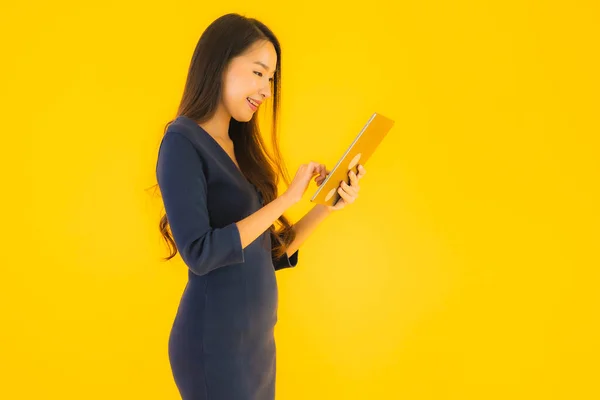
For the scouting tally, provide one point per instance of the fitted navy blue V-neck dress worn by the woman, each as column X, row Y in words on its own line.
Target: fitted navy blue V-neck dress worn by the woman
column 221, row 345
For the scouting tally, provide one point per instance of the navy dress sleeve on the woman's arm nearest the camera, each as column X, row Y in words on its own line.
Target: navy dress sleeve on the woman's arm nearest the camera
column 183, row 188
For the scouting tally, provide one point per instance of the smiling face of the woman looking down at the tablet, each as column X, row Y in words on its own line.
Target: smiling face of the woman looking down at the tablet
column 247, row 80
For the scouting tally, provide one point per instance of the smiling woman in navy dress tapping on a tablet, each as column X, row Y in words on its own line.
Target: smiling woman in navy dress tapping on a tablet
column 219, row 188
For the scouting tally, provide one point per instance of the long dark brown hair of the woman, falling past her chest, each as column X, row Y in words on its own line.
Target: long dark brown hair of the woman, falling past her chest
column 225, row 38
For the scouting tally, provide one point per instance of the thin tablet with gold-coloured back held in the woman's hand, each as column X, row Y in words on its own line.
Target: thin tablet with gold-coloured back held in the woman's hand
column 359, row 152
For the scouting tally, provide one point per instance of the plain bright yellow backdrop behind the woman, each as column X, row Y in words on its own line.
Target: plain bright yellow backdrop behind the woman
column 467, row 269
